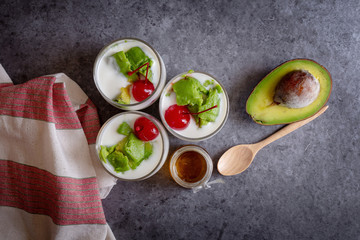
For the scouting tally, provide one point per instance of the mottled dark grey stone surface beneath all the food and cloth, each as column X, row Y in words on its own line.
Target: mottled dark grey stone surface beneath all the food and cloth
column 304, row 186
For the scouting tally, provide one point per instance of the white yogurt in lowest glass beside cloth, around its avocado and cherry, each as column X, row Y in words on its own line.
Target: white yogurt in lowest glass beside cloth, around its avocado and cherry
column 108, row 136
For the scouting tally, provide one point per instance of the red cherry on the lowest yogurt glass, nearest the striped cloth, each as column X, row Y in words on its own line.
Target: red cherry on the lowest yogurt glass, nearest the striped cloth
column 145, row 129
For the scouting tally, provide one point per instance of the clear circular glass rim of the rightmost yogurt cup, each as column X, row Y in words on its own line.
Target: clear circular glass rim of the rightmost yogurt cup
column 162, row 116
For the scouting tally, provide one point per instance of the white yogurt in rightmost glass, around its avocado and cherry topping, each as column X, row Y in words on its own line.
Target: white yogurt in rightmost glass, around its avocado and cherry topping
column 193, row 132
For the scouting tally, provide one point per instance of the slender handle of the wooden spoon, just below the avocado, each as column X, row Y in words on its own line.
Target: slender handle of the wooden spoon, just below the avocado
column 289, row 128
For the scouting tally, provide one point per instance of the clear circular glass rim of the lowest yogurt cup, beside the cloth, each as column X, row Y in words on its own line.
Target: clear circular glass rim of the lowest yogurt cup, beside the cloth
column 161, row 131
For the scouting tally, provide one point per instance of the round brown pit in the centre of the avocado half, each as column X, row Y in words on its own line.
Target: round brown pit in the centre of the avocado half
column 297, row 89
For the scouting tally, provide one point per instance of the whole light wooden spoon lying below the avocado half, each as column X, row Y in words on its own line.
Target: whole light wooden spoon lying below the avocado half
column 238, row 158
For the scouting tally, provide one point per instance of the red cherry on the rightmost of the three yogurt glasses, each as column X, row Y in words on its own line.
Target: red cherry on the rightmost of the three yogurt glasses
column 178, row 117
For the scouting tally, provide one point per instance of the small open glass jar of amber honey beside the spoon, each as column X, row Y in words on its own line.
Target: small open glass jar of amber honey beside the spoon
column 178, row 175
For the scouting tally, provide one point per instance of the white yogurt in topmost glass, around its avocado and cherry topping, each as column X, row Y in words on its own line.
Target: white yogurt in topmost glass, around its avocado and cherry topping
column 109, row 80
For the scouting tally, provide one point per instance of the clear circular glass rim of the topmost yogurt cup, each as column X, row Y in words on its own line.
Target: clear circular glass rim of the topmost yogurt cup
column 137, row 105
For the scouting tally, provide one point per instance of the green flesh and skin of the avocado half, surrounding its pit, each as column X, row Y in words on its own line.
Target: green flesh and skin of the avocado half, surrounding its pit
column 260, row 104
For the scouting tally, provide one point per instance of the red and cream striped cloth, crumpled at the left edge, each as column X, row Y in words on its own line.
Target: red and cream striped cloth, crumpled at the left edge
column 51, row 182
